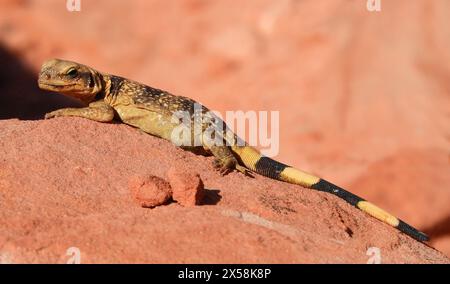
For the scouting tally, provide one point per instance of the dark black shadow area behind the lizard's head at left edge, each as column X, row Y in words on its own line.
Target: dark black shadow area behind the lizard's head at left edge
column 20, row 97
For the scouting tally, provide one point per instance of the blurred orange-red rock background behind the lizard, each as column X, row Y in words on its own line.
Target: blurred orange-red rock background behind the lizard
column 364, row 97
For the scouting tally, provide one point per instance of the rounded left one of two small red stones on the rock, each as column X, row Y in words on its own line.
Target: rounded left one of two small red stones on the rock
column 150, row 191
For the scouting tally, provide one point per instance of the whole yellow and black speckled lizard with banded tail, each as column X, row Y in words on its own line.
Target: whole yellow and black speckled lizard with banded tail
column 151, row 110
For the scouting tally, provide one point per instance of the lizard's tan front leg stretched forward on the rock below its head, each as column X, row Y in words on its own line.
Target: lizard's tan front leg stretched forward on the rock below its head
column 97, row 111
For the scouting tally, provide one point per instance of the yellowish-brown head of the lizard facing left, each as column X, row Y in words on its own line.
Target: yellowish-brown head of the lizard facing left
column 71, row 79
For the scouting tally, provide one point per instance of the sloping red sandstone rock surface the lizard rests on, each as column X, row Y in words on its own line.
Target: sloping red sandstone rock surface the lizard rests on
column 64, row 189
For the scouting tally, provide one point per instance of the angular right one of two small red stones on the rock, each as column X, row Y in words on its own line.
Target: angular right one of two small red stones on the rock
column 187, row 187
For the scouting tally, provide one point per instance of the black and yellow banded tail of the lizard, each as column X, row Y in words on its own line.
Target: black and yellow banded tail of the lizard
column 255, row 161
